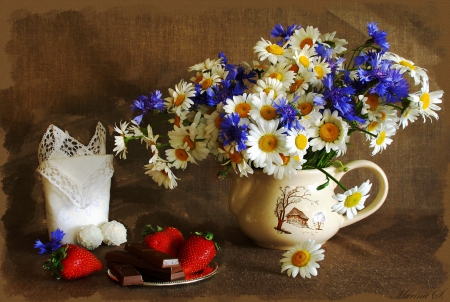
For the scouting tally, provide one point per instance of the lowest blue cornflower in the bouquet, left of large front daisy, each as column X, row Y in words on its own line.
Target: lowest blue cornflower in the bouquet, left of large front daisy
column 232, row 132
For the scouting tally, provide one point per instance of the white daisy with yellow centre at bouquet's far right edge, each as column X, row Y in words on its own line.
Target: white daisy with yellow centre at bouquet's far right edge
column 427, row 102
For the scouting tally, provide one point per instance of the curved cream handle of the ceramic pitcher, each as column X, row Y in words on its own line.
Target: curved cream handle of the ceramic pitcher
column 382, row 189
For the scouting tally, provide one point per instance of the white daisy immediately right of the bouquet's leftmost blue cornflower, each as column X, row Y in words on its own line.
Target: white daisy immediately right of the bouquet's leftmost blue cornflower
column 180, row 97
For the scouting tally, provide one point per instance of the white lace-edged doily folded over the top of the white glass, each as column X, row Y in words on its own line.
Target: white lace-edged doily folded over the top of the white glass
column 77, row 170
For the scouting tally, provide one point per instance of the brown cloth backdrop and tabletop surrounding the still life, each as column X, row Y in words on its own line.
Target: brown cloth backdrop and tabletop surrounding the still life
column 74, row 64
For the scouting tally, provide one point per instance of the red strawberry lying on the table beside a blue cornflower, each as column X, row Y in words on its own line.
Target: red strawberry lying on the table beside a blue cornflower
column 71, row 262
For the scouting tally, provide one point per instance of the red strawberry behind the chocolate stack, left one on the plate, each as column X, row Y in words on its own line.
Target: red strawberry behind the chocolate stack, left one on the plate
column 168, row 240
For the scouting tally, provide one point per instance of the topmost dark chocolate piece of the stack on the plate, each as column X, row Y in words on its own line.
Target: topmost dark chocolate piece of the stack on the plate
column 153, row 256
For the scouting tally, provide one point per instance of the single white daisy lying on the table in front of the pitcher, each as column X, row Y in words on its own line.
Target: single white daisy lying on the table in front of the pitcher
column 302, row 259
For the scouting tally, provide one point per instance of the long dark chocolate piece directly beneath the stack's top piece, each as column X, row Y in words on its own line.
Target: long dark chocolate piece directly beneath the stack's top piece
column 129, row 258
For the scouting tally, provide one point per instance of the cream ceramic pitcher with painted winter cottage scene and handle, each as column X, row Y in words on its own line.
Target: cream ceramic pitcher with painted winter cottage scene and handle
column 278, row 213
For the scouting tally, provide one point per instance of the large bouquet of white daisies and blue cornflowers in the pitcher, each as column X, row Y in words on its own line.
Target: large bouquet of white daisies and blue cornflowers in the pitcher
column 295, row 108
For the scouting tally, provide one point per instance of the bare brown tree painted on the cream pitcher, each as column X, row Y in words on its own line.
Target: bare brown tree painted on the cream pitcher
column 288, row 196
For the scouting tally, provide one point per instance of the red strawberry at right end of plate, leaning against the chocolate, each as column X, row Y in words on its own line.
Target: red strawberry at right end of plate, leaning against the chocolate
column 197, row 252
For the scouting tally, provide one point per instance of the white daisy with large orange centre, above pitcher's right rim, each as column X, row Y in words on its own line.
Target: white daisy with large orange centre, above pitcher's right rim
column 330, row 133
